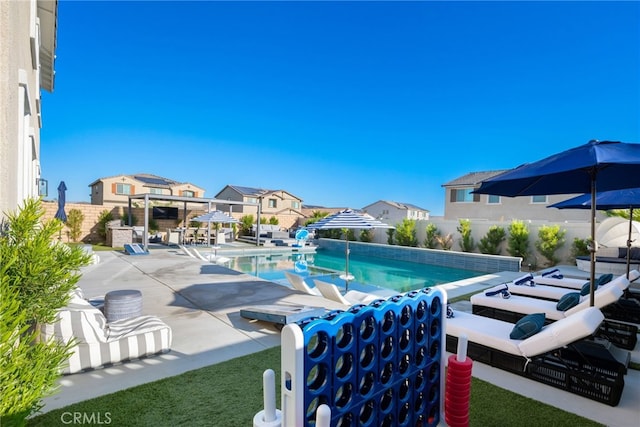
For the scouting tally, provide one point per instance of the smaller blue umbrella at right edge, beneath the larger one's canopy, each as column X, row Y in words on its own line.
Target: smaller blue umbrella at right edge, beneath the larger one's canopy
column 628, row 198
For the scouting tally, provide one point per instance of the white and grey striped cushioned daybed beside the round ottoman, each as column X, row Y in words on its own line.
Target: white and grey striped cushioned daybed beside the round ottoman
column 99, row 343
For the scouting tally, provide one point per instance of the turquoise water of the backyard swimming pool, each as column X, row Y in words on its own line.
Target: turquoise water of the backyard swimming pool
column 400, row 276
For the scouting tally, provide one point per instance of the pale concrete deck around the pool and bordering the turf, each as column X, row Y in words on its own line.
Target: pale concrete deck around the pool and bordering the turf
column 201, row 302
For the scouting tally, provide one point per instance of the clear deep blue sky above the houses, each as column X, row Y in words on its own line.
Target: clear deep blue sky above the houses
column 339, row 103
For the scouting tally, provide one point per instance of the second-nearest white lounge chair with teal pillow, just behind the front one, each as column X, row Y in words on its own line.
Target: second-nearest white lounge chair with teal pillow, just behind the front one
column 516, row 307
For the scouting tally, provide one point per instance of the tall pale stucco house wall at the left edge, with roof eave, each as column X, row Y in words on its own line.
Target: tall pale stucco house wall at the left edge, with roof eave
column 27, row 56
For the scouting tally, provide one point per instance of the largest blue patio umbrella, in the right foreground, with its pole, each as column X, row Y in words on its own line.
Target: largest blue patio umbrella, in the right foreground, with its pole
column 605, row 165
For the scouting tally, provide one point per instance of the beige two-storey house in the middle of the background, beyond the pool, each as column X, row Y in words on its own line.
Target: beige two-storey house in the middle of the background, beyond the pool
column 281, row 204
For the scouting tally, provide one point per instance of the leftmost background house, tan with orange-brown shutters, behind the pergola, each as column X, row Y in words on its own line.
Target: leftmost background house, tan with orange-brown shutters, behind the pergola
column 117, row 189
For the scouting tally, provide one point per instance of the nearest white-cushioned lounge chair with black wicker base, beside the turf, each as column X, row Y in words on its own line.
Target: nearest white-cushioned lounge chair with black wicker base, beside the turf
column 560, row 355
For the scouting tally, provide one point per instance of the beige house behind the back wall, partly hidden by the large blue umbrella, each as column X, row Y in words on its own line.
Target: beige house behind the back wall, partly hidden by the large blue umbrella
column 461, row 203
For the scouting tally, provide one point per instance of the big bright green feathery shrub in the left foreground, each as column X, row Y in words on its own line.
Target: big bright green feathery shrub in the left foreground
column 38, row 274
